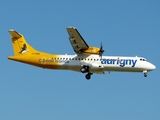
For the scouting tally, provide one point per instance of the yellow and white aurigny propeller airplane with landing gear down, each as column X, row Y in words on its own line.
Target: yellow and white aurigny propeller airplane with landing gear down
column 87, row 59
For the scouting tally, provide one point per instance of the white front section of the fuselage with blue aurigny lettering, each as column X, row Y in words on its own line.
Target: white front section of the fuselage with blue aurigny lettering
column 106, row 63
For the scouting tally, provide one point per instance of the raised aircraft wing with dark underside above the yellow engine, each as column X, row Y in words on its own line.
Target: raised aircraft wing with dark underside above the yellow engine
column 76, row 40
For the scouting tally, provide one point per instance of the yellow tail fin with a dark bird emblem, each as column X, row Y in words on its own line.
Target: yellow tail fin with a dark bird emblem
column 20, row 46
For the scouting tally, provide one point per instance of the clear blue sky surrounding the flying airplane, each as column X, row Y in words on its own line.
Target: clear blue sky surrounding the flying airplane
column 126, row 28
